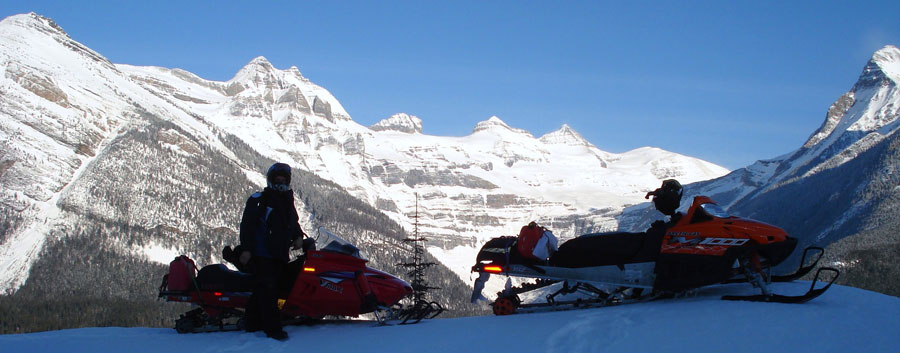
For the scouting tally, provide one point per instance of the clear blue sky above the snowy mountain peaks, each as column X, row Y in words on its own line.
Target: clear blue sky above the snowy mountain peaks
column 726, row 81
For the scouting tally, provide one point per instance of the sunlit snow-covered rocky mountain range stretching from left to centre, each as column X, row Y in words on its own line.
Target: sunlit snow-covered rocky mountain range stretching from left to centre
column 87, row 143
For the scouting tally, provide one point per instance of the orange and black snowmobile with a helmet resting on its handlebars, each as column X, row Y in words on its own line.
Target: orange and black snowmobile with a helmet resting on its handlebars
column 704, row 246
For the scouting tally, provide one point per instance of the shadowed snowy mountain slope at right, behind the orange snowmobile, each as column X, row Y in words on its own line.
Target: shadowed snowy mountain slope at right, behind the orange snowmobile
column 844, row 180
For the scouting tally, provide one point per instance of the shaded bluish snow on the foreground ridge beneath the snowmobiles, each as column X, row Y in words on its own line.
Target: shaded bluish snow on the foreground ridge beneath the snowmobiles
column 842, row 320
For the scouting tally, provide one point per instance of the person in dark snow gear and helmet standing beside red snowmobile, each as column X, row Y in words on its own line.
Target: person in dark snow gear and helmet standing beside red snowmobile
column 269, row 226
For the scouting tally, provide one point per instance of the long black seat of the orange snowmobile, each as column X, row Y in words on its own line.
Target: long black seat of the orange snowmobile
column 604, row 249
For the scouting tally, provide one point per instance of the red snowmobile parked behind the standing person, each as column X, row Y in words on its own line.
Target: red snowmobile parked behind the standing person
column 331, row 281
